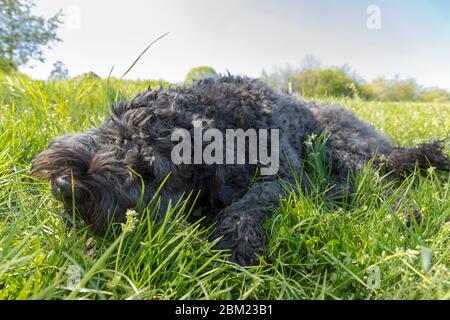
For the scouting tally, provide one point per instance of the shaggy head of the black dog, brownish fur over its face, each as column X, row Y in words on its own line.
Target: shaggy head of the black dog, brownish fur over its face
column 91, row 182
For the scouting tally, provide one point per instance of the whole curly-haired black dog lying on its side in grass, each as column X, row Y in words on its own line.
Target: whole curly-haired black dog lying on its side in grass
column 102, row 171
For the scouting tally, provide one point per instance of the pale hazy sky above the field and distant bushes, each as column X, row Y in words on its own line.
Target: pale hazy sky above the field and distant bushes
column 248, row 35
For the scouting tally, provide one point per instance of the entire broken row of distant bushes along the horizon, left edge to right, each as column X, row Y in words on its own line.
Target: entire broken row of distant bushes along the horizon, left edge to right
column 309, row 81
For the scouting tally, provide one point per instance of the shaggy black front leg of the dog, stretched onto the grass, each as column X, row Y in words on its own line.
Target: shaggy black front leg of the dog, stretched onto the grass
column 240, row 224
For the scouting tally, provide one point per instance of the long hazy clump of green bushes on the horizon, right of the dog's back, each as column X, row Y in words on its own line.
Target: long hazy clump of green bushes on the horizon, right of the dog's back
column 312, row 80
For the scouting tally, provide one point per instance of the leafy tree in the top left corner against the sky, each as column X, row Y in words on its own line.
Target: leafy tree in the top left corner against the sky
column 23, row 36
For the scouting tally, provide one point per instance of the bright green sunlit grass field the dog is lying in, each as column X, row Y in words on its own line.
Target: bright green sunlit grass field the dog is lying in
column 316, row 250
